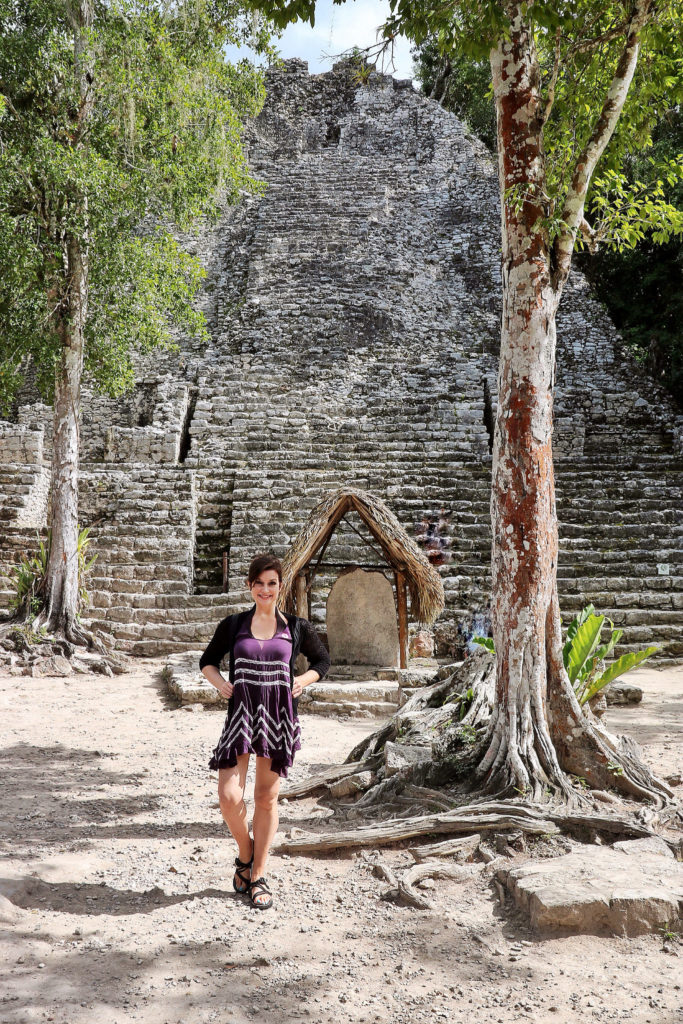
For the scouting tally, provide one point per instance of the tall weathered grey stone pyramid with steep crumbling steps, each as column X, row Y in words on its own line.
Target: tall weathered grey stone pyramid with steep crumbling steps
column 355, row 312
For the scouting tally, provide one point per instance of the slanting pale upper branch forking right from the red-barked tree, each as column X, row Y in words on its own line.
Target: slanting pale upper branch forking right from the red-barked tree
column 573, row 214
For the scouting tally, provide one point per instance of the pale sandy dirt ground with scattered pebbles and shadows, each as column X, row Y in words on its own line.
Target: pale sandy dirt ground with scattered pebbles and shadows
column 118, row 907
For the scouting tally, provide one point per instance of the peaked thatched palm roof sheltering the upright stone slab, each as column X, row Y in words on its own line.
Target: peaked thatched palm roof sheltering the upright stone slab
column 402, row 552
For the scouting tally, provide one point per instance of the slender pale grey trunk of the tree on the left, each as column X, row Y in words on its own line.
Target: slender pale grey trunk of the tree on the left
column 62, row 584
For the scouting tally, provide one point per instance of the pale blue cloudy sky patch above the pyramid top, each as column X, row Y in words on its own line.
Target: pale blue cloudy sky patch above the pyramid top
column 338, row 29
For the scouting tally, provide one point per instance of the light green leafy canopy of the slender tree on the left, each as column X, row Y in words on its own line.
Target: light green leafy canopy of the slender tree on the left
column 161, row 145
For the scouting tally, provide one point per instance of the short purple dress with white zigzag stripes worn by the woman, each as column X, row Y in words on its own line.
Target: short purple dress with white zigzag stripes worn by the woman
column 261, row 719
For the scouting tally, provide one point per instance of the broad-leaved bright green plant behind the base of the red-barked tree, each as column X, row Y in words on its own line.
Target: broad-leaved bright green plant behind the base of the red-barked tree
column 584, row 655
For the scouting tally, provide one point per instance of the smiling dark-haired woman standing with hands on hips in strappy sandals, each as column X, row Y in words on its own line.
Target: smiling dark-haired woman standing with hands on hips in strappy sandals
column 263, row 691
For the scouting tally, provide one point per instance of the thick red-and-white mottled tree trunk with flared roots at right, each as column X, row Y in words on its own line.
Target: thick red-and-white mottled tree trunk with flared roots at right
column 522, row 754
